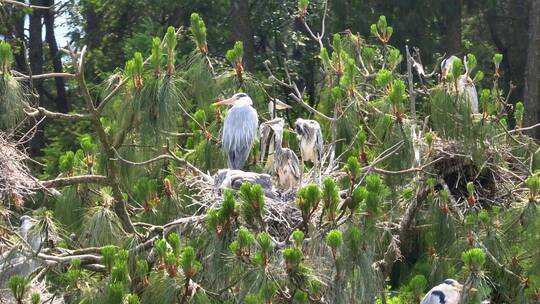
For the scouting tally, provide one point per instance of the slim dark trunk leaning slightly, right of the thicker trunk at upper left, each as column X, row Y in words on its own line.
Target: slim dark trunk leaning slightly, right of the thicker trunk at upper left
column 61, row 99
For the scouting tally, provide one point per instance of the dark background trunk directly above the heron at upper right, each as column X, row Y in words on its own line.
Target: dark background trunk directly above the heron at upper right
column 452, row 26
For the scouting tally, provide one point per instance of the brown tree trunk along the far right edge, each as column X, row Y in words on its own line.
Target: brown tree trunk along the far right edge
column 532, row 76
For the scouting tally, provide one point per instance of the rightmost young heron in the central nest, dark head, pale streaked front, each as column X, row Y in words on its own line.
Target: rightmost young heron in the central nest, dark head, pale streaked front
column 310, row 139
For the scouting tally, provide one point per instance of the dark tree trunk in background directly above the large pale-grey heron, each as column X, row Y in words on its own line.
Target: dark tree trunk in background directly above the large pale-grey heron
column 241, row 30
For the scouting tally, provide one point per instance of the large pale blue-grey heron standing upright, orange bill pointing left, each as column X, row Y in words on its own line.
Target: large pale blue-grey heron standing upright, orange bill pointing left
column 239, row 129
